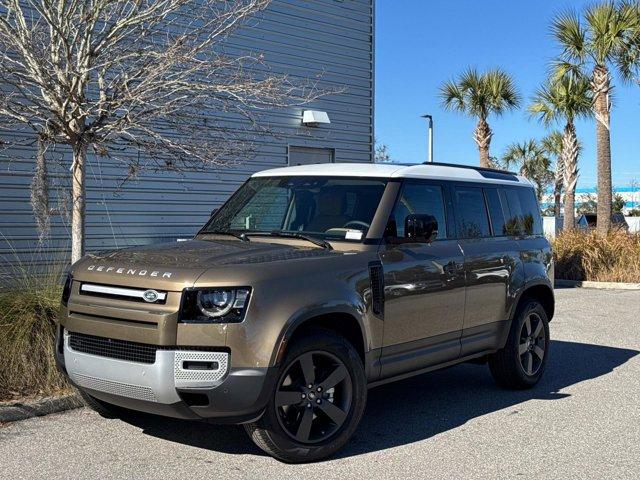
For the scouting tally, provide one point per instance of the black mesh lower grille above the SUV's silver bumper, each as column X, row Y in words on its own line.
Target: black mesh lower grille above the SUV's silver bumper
column 111, row 348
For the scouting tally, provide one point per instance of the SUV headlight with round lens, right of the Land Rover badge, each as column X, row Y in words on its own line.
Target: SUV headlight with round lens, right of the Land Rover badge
column 220, row 305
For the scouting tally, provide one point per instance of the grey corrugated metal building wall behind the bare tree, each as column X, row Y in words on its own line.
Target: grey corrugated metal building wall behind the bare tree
column 303, row 38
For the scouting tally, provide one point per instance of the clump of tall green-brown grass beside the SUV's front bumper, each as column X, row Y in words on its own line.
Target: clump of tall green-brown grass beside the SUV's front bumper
column 29, row 303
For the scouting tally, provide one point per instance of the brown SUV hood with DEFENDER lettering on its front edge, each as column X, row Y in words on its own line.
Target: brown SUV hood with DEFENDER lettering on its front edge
column 176, row 265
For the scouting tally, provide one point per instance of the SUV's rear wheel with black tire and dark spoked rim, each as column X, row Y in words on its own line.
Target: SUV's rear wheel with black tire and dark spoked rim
column 521, row 363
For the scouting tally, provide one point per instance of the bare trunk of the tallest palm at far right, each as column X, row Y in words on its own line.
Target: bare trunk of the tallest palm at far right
column 601, row 87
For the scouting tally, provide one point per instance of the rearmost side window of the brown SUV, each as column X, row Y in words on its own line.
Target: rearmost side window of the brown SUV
column 523, row 217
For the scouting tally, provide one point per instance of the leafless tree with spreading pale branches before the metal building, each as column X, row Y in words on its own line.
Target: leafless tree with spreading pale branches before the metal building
column 114, row 77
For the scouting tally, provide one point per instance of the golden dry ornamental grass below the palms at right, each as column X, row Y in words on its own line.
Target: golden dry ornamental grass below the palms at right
column 590, row 256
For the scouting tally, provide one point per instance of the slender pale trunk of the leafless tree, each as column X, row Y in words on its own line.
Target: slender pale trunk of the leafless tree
column 78, row 200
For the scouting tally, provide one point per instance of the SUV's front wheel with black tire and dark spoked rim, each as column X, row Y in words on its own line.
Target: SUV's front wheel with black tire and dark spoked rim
column 296, row 427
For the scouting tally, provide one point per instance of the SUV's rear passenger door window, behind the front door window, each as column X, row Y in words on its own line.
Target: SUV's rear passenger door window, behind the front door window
column 471, row 213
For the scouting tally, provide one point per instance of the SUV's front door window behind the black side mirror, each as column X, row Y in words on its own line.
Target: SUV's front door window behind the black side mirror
column 422, row 199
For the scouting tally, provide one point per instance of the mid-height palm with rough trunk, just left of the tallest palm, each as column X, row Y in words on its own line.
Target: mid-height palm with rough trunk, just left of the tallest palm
column 564, row 99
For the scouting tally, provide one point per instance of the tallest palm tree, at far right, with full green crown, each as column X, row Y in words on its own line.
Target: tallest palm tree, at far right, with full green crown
column 603, row 41
